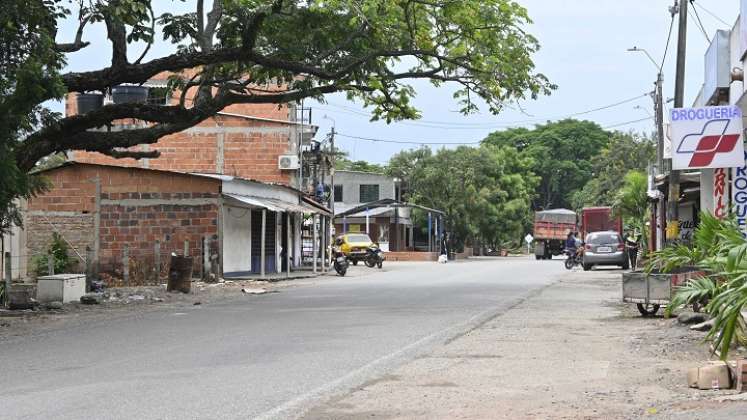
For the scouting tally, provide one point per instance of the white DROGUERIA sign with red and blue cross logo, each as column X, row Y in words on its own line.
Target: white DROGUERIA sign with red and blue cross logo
column 709, row 137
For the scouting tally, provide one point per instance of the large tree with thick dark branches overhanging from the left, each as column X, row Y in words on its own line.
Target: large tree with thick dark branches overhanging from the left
column 251, row 51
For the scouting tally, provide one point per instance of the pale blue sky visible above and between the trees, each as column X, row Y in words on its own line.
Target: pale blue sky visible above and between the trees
column 583, row 50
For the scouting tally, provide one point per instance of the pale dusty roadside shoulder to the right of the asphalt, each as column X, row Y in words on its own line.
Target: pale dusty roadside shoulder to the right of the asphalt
column 570, row 351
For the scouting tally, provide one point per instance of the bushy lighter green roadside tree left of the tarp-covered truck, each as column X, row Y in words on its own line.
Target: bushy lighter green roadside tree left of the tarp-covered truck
column 485, row 191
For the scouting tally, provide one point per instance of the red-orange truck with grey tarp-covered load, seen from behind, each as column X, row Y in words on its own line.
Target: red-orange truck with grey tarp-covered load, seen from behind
column 551, row 228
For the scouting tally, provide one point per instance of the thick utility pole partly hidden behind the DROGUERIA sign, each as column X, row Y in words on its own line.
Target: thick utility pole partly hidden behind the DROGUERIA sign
column 679, row 93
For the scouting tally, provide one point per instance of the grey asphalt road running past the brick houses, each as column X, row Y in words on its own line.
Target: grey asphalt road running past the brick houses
column 270, row 356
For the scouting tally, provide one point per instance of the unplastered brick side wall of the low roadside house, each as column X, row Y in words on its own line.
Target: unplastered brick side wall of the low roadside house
column 137, row 208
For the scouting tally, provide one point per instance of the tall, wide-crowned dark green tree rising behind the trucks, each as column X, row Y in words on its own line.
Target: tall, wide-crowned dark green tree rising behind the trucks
column 562, row 153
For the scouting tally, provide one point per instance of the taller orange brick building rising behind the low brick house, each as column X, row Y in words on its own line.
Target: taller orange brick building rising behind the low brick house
column 244, row 140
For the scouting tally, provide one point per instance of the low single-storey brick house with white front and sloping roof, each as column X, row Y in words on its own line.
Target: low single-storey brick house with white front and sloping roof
column 137, row 217
